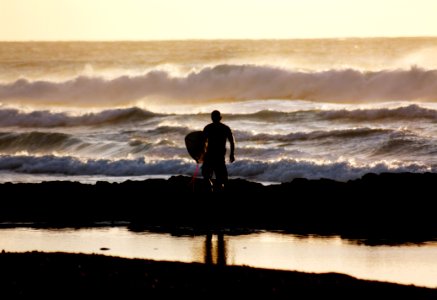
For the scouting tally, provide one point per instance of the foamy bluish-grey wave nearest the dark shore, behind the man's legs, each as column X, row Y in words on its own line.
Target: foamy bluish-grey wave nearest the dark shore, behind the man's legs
column 277, row 171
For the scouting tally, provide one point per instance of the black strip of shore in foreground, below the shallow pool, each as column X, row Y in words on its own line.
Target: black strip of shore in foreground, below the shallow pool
column 38, row 273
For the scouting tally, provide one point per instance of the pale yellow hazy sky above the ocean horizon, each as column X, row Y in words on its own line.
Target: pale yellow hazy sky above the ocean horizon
column 212, row 19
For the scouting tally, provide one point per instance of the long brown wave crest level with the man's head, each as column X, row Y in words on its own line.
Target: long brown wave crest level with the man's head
column 44, row 118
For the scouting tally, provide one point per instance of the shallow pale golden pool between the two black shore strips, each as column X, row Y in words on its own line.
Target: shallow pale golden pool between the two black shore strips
column 408, row 264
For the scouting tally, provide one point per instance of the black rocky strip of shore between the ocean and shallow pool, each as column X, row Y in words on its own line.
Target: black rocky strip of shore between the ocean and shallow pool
column 393, row 206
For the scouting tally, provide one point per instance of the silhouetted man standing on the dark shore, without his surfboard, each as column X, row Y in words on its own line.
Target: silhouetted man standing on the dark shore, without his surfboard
column 216, row 135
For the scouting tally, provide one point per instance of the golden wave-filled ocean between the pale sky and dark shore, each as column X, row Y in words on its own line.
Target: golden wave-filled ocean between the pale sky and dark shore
column 113, row 111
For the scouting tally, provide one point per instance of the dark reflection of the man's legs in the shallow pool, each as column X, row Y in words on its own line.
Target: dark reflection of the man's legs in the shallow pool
column 215, row 251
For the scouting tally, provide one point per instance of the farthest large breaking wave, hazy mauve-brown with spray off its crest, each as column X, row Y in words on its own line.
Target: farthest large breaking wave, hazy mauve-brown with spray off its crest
column 229, row 83
